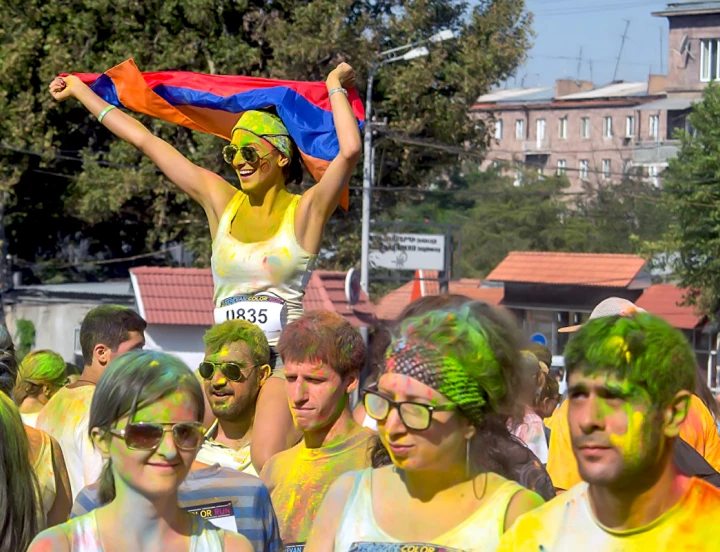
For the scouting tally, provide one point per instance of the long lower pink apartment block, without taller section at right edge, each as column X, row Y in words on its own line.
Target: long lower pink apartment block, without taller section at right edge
column 573, row 128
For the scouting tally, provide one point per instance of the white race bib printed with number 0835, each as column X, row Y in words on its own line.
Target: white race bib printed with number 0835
column 266, row 311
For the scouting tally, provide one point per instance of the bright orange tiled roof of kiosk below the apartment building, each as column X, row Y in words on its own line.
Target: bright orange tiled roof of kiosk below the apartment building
column 580, row 269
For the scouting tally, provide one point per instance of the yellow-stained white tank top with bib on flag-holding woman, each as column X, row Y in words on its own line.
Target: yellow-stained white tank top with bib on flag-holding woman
column 260, row 281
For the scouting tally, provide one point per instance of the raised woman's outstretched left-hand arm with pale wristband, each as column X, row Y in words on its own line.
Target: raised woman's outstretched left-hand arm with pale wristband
column 207, row 188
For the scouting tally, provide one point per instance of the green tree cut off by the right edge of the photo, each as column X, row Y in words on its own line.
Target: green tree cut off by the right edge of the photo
column 692, row 188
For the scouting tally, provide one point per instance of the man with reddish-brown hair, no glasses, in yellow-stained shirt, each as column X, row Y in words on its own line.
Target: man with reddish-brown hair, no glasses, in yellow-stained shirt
column 323, row 356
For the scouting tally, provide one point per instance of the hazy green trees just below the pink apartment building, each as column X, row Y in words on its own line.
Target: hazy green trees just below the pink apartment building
column 497, row 216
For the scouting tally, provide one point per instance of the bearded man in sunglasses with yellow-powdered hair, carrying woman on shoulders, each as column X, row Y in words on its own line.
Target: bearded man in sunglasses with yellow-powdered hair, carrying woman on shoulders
column 236, row 366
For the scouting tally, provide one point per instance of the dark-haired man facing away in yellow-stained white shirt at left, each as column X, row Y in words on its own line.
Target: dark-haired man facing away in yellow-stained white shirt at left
column 106, row 332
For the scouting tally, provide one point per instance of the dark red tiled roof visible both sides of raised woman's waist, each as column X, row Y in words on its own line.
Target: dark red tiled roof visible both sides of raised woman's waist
column 184, row 296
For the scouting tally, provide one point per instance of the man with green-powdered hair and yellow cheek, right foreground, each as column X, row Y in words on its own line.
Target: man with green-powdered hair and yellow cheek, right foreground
column 629, row 381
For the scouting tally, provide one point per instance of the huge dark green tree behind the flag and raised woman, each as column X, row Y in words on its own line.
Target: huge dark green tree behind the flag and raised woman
column 74, row 188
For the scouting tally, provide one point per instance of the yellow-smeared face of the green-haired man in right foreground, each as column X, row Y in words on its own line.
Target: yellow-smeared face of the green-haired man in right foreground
column 617, row 435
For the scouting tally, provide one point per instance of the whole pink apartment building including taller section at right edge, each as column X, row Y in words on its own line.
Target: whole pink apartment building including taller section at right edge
column 599, row 133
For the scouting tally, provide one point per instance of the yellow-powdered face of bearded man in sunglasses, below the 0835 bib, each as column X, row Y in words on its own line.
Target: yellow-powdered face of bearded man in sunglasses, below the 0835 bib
column 230, row 400
